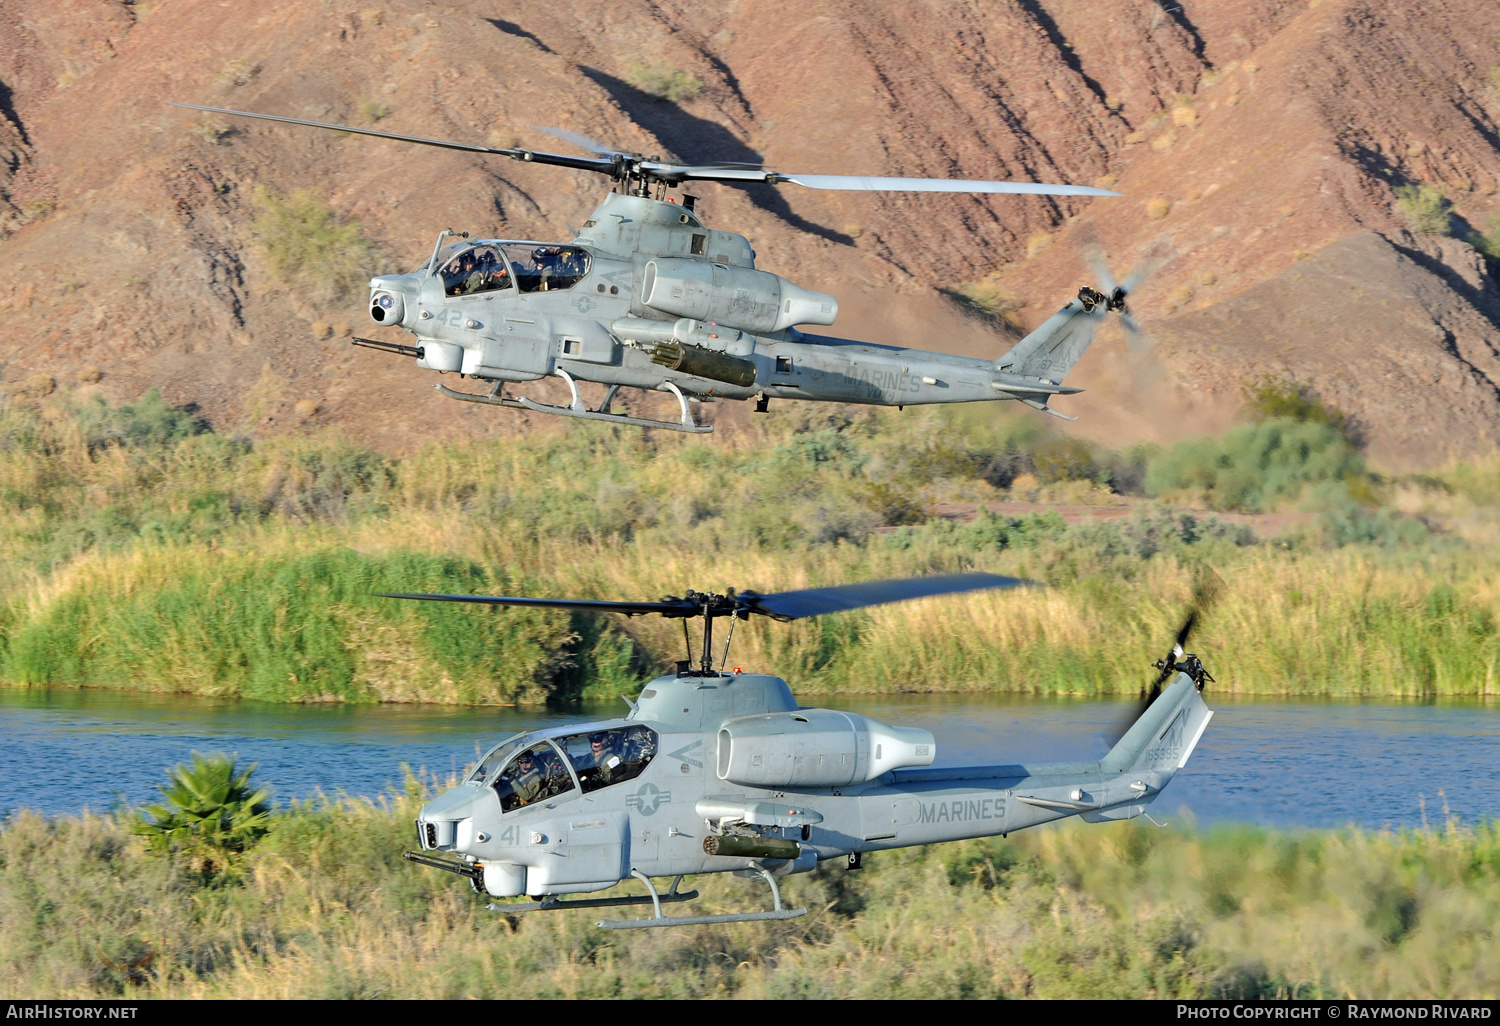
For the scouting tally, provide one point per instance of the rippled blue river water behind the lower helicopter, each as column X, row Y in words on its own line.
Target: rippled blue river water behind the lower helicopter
column 1268, row 763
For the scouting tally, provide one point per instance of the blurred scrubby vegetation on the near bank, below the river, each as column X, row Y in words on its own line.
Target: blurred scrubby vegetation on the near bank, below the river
column 323, row 907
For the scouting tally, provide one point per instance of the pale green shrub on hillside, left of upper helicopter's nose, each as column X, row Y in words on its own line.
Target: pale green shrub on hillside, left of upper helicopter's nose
column 310, row 247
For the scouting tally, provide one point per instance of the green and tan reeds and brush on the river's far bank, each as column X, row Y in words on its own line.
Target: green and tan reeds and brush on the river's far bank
column 143, row 551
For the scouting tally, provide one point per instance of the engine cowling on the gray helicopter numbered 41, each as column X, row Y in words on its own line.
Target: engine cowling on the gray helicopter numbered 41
column 817, row 749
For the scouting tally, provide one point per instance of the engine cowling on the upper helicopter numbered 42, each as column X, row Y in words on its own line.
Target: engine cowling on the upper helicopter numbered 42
column 740, row 298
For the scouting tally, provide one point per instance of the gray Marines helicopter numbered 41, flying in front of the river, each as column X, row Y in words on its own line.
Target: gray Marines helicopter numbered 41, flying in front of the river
column 719, row 772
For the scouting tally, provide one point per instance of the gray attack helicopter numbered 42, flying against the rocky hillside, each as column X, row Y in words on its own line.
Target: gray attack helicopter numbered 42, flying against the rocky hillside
column 646, row 296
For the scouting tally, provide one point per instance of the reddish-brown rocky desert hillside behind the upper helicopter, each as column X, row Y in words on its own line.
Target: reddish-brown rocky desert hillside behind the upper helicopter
column 1261, row 143
